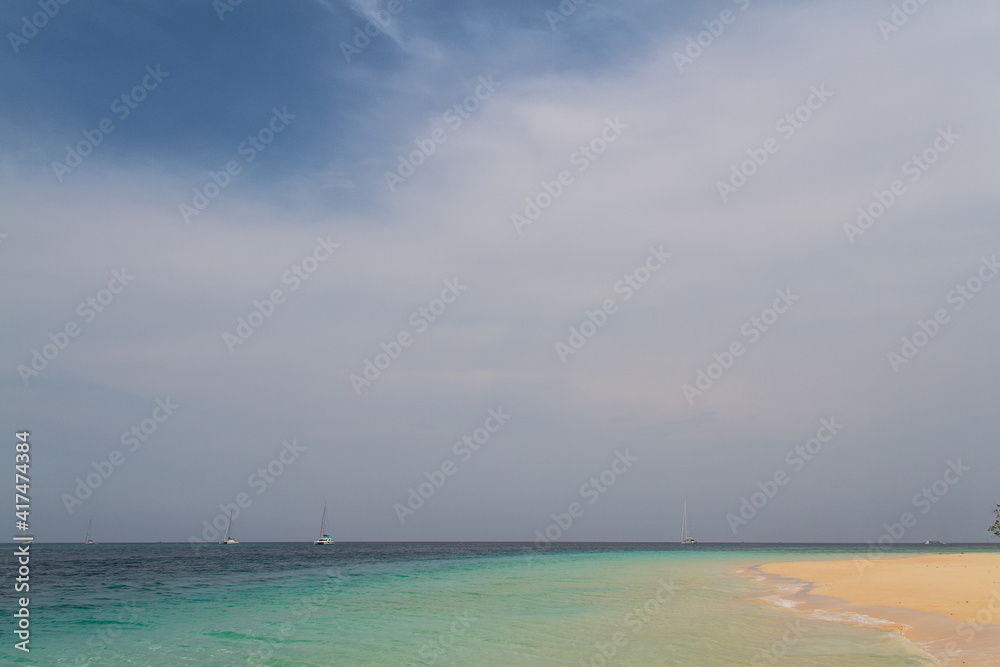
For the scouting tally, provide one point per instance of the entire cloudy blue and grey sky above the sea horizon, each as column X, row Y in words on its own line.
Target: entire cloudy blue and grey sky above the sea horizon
column 516, row 271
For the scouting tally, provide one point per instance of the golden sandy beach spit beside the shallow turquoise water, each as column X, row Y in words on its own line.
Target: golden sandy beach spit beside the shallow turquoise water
column 948, row 605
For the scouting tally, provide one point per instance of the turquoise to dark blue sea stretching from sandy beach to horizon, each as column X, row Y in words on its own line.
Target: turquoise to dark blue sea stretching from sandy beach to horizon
column 431, row 604
